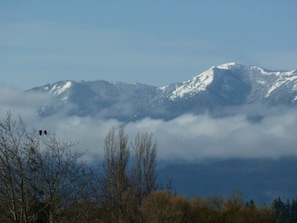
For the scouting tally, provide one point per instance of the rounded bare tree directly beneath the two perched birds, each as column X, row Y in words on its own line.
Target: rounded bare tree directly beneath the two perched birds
column 59, row 177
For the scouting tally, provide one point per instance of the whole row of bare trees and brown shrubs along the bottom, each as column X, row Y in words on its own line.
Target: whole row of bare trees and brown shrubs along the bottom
column 42, row 179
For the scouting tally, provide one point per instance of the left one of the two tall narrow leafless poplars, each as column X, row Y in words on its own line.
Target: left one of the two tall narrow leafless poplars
column 115, row 184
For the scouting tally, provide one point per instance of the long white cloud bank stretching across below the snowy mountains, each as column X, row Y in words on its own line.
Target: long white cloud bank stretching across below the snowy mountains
column 187, row 137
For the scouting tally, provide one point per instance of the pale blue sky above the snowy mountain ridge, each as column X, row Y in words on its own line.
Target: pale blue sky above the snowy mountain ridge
column 152, row 42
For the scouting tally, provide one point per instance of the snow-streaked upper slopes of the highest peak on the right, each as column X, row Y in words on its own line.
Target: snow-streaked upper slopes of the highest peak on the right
column 263, row 83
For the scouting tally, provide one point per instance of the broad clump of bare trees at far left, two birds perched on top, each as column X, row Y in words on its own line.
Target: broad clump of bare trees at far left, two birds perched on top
column 40, row 177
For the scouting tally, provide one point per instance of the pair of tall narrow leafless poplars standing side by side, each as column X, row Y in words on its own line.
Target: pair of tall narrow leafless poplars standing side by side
column 125, row 185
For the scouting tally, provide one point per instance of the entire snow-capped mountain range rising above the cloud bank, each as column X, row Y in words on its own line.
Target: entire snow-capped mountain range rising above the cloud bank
column 213, row 90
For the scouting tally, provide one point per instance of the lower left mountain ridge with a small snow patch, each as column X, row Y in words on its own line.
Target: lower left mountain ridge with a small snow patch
column 106, row 99
